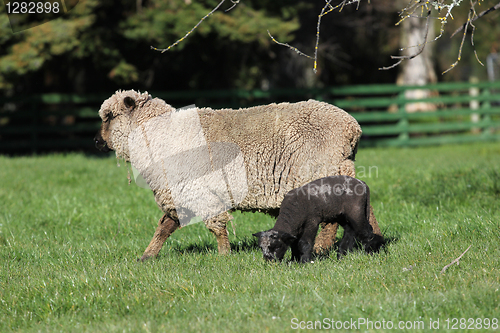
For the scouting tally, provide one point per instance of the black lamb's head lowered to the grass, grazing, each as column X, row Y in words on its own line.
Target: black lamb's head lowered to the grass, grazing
column 274, row 243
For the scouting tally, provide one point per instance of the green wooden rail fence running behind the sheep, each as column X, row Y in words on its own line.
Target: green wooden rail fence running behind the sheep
column 444, row 113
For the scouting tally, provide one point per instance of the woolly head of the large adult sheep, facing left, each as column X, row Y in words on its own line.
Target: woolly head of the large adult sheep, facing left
column 120, row 114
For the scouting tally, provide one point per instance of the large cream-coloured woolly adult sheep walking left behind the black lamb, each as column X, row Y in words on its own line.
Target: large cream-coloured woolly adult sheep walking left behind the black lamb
column 245, row 159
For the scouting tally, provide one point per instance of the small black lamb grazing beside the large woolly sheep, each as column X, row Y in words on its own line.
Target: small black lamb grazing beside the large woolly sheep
column 336, row 199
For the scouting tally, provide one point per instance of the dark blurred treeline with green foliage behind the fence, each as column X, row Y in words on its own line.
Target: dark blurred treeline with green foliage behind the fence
column 104, row 45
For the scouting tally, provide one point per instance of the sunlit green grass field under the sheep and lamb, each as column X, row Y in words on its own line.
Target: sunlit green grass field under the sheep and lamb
column 71, row 229
